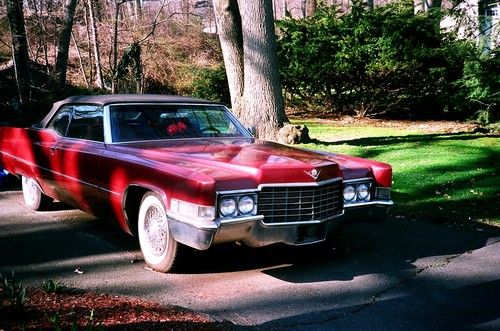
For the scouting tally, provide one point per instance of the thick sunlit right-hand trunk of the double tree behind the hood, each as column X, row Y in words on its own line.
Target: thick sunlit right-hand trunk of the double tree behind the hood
column 262, row 96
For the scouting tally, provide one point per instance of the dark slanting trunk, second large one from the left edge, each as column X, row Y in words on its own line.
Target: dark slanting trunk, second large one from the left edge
column 64, row 41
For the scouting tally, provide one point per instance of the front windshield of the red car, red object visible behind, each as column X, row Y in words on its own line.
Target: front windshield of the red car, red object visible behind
column 158, row 121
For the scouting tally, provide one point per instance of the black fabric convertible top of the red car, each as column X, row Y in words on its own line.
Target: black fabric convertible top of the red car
column 104, row 99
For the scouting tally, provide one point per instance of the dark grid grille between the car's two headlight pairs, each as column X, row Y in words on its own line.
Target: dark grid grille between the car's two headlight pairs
column 300, row 203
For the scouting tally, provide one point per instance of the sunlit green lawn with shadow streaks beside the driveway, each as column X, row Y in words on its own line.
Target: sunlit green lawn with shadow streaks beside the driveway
column 442, row 177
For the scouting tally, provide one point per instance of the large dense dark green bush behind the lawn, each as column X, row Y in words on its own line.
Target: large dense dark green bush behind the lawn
column 386, row 61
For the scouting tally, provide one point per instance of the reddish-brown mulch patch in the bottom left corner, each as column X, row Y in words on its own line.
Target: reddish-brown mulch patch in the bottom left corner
column 90, row 311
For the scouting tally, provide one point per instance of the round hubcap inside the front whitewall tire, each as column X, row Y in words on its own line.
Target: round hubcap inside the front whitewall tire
column 156, row 230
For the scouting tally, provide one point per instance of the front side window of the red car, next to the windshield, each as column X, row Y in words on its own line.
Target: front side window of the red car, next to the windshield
column 86, row 123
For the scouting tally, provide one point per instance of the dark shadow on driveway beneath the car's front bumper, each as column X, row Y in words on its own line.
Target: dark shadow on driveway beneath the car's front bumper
column 392, row 247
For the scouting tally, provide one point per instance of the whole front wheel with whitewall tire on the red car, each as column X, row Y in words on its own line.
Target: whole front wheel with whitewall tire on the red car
column 158, row 246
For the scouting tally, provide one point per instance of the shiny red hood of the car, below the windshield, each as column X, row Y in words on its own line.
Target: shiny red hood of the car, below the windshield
column 236, row 163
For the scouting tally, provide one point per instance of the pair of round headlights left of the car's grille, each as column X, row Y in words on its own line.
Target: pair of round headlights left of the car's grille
column 238, row 205
